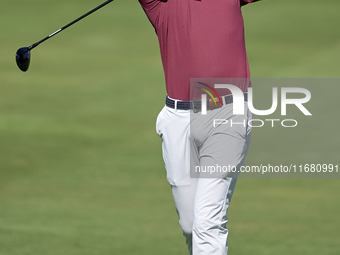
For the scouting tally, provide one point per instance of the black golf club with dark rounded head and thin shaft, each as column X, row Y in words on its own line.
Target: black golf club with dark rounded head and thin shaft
column 23, row 55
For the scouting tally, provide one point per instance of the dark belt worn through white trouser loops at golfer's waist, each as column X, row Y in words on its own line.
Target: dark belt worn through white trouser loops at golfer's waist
column 196, row 105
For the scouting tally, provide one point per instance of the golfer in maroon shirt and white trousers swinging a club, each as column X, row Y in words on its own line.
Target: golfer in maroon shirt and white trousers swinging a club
column 200, row 39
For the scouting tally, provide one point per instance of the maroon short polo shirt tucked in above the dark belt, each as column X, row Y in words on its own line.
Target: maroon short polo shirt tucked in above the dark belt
column 198, row 39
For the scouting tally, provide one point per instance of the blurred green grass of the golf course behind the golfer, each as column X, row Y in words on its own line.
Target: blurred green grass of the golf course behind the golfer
column 81, row 170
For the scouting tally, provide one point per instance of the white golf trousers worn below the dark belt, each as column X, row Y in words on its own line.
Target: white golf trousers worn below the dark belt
column 202, row 203
